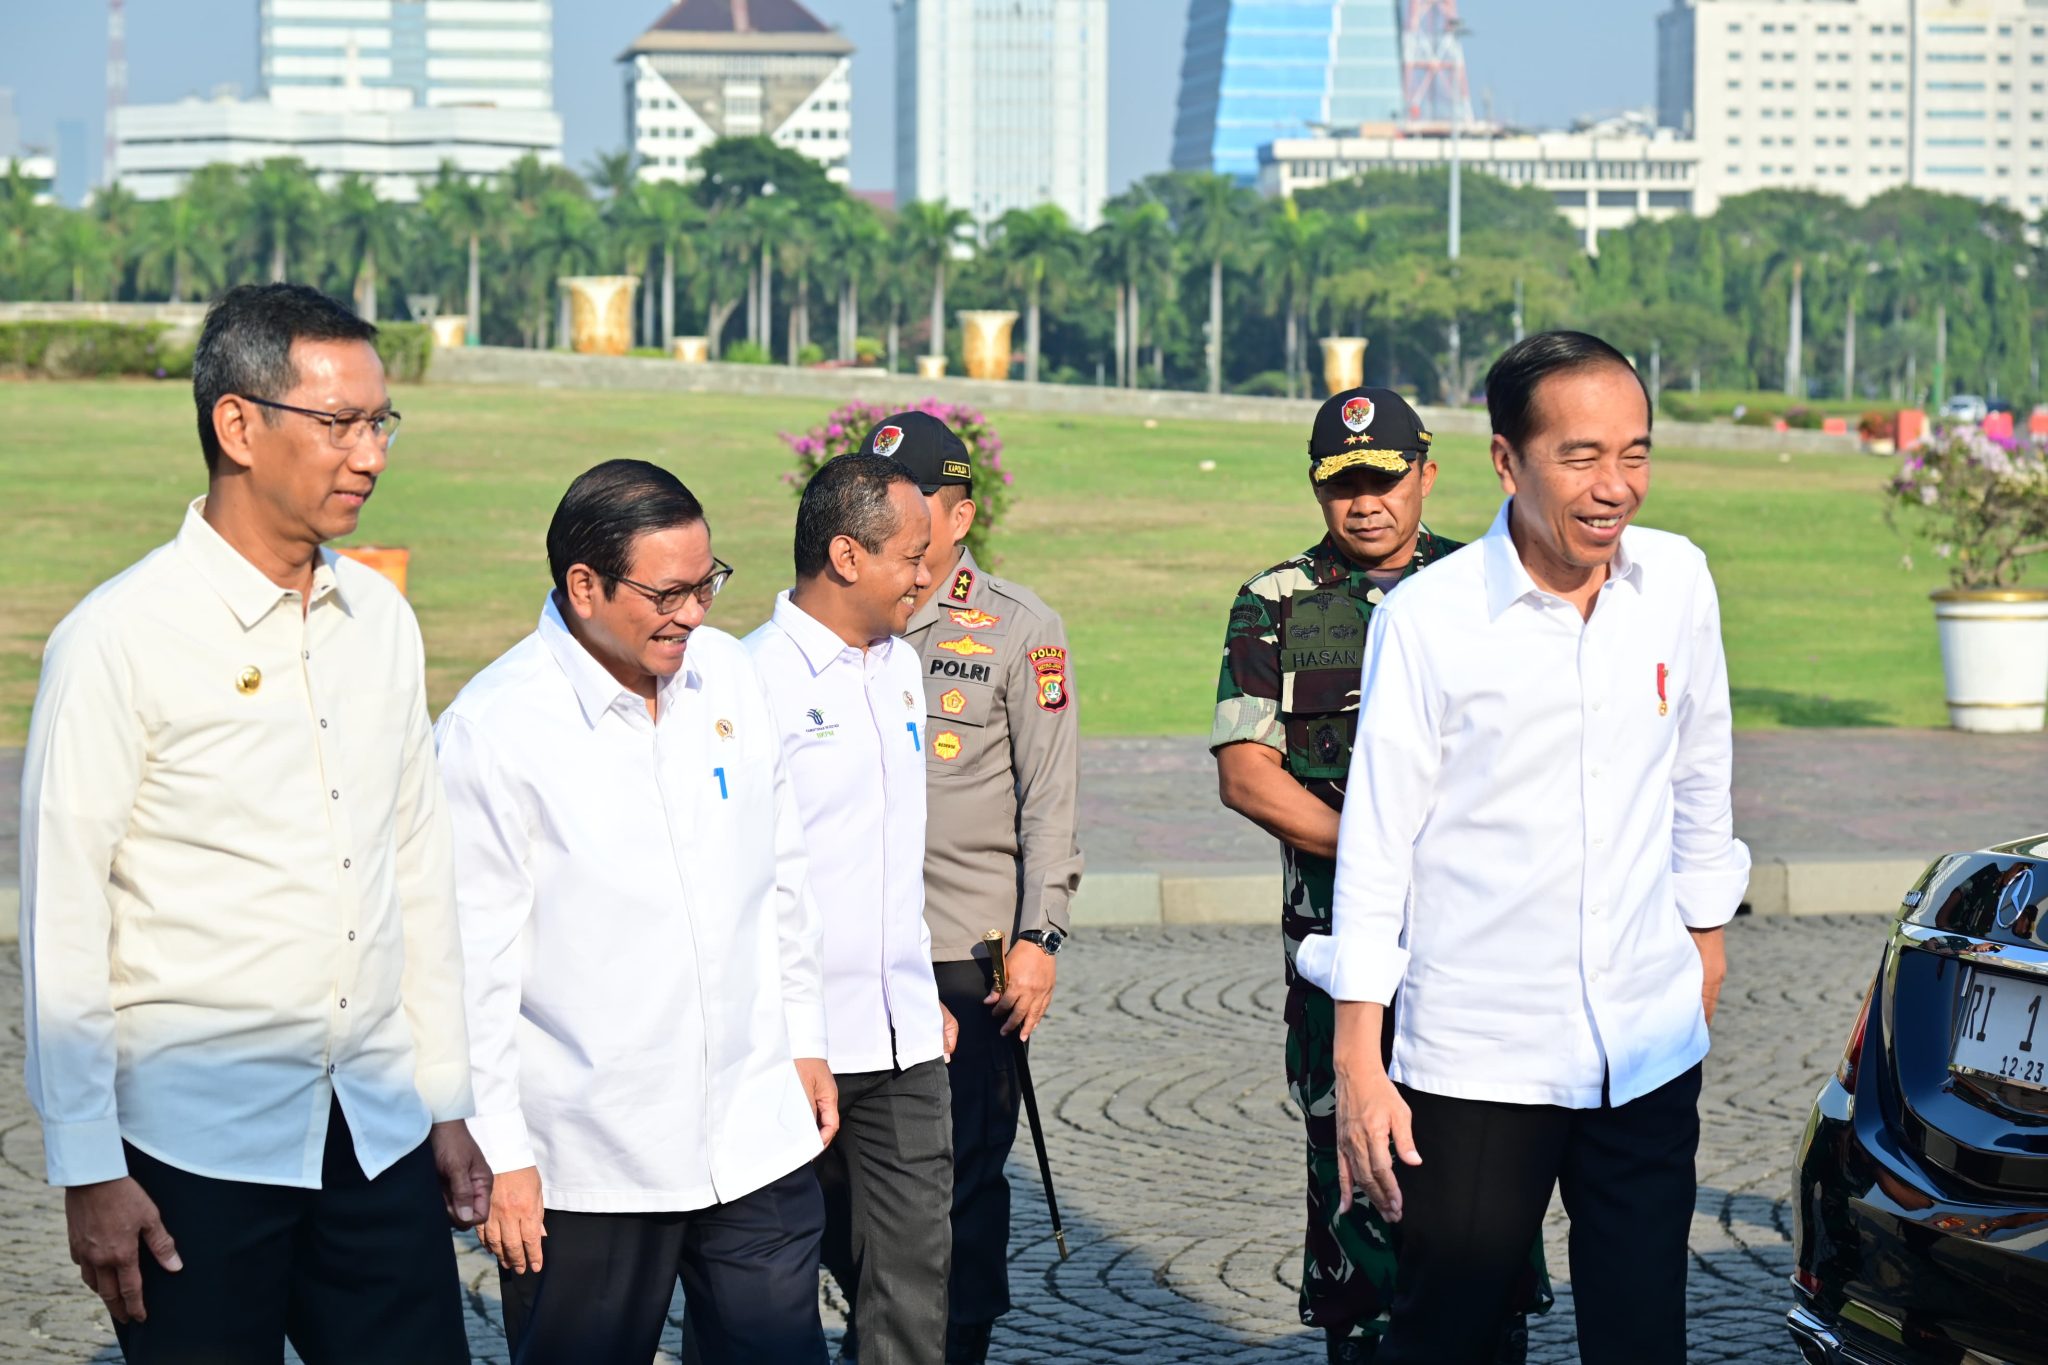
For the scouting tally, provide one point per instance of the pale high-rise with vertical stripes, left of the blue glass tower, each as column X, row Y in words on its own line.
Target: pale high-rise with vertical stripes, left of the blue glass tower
column 1005, row 105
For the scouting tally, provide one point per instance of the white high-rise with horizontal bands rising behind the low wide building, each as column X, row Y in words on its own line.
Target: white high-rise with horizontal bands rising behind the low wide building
column 404, row 54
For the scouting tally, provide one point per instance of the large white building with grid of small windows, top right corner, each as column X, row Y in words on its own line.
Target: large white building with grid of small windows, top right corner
column 1857, row 97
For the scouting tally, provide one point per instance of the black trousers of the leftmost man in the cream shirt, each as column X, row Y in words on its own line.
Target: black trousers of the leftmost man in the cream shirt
column 353, row 1274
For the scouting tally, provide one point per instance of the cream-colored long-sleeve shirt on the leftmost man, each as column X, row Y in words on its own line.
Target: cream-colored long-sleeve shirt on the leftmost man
column 237, row 891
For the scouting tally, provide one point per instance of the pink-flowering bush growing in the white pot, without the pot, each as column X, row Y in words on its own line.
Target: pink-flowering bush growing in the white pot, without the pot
column 1983, row 504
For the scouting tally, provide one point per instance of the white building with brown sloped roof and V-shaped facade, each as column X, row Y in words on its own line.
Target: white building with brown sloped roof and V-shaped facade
column 738, row 69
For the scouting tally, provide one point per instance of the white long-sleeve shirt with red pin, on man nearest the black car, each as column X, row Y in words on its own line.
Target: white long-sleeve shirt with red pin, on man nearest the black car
column 1537, row 813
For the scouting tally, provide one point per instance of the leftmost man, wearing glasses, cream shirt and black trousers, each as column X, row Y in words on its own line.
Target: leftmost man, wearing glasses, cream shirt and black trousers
column 245, row 981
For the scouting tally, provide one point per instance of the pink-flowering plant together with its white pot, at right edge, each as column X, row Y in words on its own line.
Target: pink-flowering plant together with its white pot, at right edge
column 1983, row 507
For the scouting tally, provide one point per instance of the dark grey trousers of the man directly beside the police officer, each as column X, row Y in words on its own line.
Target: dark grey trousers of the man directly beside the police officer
column 888, row 1182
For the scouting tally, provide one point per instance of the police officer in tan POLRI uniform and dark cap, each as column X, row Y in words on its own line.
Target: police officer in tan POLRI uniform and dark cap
column 1000, row 844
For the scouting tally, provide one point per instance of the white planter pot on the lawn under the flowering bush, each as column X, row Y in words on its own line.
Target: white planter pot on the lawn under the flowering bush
column 1994, row 656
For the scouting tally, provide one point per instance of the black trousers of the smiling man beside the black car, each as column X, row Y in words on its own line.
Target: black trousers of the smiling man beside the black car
column 1480, row 1196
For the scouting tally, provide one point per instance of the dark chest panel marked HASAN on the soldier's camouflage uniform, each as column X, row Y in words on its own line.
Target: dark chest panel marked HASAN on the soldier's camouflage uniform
column 1322, row 652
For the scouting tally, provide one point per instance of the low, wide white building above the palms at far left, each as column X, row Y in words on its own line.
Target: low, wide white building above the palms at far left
column 398, row 150
